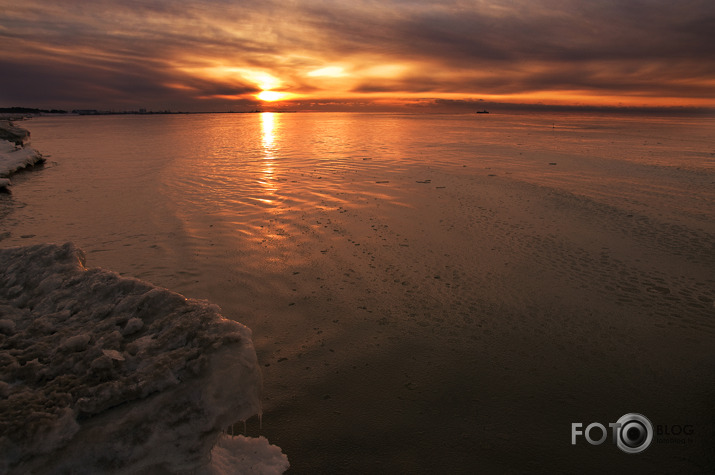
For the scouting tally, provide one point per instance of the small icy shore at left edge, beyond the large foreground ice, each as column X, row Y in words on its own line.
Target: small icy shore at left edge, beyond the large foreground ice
column 15, row 155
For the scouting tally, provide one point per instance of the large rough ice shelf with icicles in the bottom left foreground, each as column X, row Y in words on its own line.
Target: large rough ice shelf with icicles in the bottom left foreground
column 100, row 373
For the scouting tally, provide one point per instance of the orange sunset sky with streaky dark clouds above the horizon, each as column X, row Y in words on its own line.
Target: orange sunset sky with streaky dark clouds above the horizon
column 238, row 55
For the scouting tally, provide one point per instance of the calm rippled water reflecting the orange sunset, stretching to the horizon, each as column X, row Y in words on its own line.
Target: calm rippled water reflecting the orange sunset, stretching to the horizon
column 418, row 285
